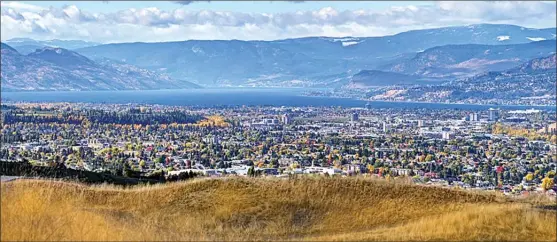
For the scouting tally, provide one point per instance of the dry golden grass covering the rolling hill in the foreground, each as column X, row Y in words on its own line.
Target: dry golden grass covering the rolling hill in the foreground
column 265, row 209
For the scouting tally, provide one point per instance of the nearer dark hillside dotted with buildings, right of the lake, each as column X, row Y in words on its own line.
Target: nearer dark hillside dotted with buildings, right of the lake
column 532, row 82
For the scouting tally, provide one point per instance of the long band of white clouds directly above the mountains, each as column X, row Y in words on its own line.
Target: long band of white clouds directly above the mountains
column 153, row 24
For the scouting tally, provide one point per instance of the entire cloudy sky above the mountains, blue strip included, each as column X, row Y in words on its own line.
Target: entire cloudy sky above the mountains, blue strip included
column 144, row 21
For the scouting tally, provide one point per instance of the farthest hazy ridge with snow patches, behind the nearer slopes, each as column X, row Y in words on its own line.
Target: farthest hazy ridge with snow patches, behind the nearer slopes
column 263, row 63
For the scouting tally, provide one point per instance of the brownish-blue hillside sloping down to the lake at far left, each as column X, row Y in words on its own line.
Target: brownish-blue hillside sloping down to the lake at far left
column 62, row 70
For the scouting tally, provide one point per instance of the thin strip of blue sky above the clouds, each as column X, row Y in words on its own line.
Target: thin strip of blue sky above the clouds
column 234, row 6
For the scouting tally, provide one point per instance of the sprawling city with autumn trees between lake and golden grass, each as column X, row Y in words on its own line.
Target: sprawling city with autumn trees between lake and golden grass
column 508, row 150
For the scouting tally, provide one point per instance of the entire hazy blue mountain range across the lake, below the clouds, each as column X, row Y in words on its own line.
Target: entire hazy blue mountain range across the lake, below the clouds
column 422, row 57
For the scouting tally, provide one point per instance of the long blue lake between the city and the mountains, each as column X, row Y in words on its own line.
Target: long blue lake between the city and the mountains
column 229, row 96
